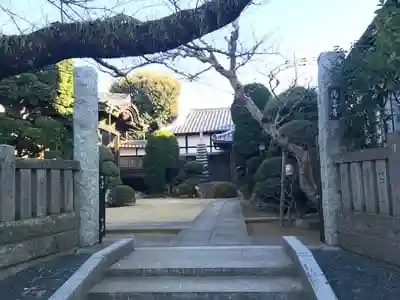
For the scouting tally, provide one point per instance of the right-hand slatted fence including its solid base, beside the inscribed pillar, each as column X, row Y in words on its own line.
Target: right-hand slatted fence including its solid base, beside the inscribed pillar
column 369, row 222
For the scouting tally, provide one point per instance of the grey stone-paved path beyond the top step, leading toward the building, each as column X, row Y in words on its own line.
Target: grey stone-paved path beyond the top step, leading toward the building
column 221, row 223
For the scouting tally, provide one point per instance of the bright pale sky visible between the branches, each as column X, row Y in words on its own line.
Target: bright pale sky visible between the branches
column 295, row 28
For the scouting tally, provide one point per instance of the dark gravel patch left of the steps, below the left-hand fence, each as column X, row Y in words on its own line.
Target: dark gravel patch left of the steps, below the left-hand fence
column 39, row 282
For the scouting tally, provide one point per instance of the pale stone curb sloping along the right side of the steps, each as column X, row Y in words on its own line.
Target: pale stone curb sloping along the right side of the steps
column 311, row 274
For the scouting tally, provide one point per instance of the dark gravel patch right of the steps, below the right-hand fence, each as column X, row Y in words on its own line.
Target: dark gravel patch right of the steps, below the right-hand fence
column 354, row 277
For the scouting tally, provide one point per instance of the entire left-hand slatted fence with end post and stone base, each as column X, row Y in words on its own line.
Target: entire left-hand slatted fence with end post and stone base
column 37, row 207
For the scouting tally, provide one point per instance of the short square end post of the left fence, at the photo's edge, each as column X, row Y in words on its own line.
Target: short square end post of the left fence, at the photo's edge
column 7, row 183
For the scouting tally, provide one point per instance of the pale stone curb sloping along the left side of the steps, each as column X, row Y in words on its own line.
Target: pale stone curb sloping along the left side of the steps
column 92, row 271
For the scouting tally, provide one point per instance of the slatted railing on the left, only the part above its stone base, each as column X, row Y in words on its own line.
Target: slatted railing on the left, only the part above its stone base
column 42, row 188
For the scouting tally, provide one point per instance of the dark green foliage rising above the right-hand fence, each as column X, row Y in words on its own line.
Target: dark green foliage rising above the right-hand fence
column 369, row 76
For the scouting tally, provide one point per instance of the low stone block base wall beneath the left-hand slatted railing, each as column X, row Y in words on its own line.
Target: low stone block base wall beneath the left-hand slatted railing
column 29, row 239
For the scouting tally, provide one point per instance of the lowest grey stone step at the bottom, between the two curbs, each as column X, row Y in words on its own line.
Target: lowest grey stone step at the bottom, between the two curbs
column 215, row 288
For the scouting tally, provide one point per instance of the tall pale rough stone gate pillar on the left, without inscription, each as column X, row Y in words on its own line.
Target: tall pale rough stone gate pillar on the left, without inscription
column 86, row 151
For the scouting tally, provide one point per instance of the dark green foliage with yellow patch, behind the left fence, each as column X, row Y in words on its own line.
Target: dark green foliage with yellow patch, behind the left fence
column 38, row 110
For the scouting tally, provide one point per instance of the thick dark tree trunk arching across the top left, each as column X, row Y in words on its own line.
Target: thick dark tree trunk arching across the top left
column 120, row 36
